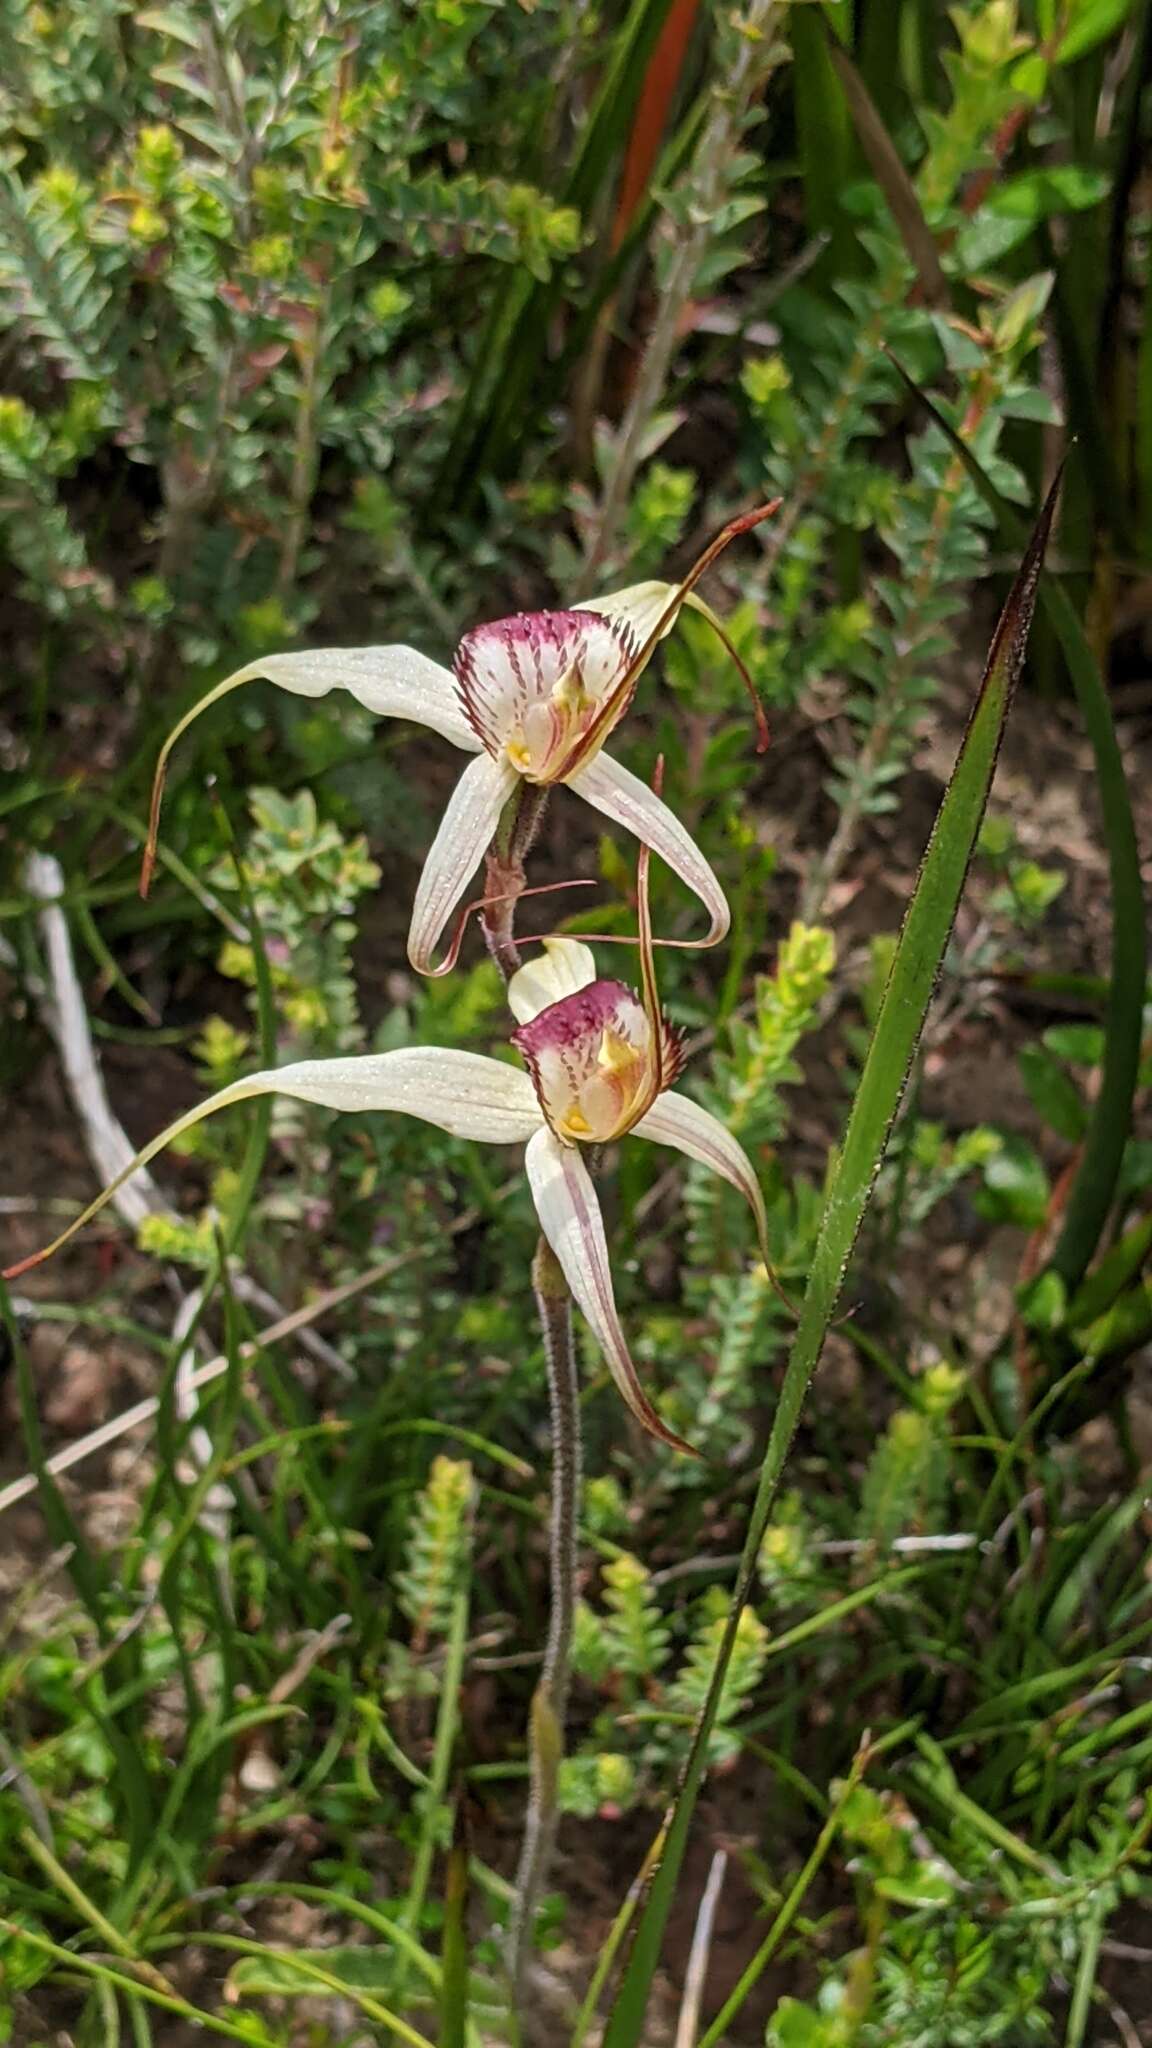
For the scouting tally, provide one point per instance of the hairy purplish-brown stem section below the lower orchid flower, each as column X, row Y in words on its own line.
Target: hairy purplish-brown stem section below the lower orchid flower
column 550, row 1699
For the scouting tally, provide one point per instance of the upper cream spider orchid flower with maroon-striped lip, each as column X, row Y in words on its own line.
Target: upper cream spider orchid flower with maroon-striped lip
column 534, row 699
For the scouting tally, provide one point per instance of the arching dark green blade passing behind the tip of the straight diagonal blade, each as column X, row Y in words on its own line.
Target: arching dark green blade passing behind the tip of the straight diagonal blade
column 1102, row 1158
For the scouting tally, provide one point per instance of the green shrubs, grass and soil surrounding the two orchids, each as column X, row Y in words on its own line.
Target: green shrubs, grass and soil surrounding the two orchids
column 364, row 323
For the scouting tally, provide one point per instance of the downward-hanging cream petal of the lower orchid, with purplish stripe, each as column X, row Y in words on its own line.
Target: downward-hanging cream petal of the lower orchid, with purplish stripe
column 573, row 1224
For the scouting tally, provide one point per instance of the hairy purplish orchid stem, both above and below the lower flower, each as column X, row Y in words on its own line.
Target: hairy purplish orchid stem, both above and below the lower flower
column 505, row 880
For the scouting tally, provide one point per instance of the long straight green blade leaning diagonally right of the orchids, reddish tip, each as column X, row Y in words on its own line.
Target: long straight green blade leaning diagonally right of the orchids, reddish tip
column 907, row 998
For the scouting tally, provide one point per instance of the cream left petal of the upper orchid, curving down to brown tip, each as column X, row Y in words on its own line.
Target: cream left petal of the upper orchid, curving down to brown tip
column 397, row 683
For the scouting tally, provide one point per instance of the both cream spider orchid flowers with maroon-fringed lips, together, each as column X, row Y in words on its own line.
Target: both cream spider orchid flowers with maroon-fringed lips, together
column 534, row 697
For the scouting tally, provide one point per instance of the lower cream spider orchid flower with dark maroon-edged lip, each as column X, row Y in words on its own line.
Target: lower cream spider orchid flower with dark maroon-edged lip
column 600, row 1066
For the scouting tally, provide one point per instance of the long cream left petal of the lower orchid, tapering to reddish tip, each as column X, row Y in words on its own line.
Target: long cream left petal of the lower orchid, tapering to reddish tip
column 464, row 1095
